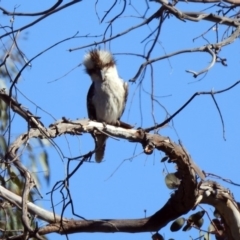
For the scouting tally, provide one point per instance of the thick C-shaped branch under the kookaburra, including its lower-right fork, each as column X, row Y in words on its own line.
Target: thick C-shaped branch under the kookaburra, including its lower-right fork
column 186, row 197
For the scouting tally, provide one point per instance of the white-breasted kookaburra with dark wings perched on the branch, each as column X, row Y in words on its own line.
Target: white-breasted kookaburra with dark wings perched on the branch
column 107, row 95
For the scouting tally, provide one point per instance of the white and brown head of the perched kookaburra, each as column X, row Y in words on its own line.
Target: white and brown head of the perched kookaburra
column 100, row 65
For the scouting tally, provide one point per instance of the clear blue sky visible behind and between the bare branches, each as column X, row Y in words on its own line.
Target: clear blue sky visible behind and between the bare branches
column 136, row 183
